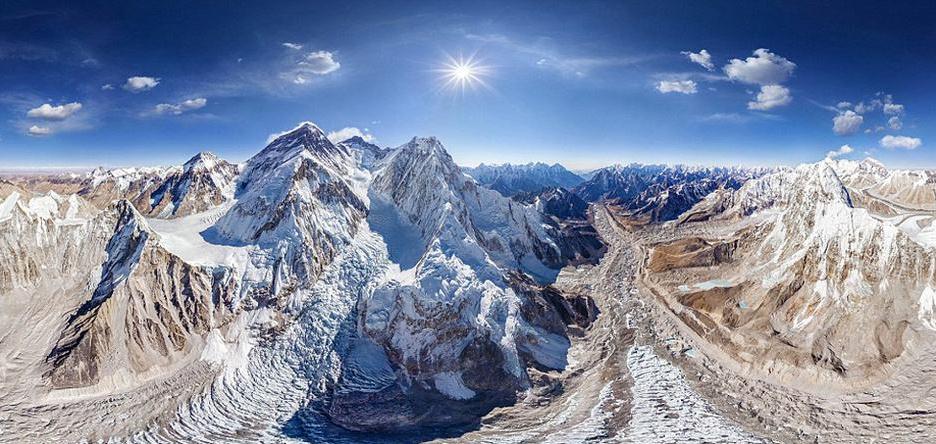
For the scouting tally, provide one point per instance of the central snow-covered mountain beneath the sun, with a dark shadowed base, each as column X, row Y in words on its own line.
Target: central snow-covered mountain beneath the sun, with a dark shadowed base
column 451, row 318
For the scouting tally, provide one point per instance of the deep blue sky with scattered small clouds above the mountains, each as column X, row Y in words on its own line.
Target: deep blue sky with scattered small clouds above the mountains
column 575, row 82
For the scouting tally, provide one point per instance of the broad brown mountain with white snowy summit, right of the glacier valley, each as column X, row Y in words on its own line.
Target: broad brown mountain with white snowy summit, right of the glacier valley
column 807, row 283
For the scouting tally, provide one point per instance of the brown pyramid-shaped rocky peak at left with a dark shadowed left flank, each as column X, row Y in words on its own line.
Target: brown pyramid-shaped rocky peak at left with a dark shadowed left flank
column 149, row 308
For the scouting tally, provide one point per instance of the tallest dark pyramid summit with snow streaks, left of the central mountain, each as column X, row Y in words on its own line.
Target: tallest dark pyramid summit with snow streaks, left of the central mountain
column 296, row 197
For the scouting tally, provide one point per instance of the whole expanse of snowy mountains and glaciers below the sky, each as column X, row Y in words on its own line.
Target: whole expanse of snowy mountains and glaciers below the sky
column 334, row 291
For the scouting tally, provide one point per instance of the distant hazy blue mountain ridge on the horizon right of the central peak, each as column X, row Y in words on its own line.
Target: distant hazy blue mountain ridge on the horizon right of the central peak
column 509, row 179
